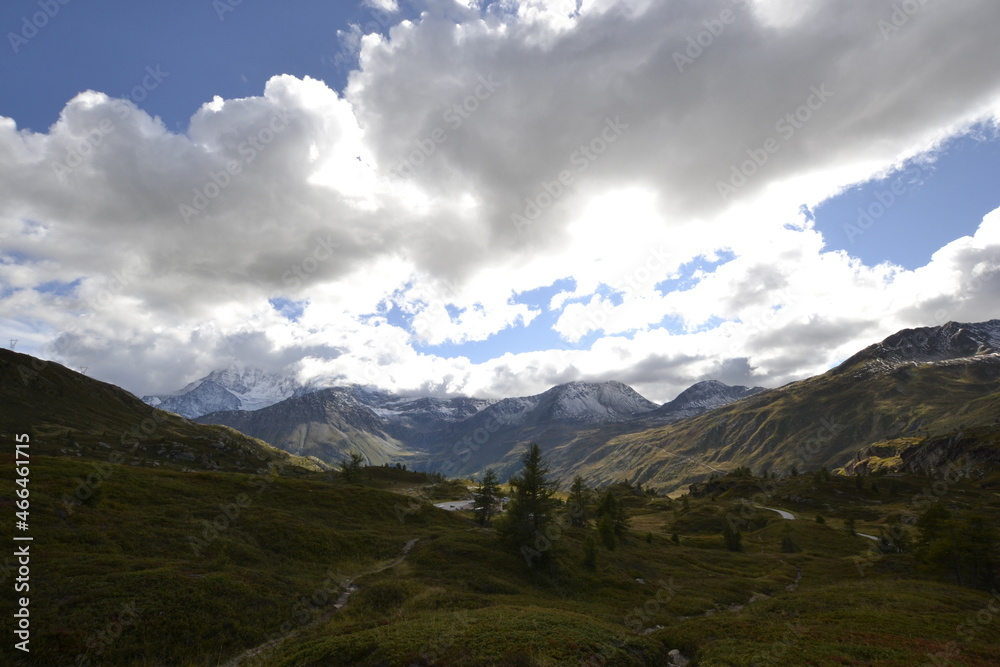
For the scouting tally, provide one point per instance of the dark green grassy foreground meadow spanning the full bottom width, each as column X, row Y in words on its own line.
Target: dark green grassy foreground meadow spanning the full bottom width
column 136, row 577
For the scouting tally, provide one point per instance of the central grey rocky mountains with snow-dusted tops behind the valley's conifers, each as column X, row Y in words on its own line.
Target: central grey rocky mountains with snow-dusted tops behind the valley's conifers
column 424, row 431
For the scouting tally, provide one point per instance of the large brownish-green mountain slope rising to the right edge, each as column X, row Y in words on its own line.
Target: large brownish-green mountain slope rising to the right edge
column 916, row 388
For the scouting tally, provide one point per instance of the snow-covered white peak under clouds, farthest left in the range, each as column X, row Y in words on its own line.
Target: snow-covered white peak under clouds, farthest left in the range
column 232, row 388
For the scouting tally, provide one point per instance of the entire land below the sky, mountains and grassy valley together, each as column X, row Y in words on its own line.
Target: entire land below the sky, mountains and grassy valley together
column 250, row 519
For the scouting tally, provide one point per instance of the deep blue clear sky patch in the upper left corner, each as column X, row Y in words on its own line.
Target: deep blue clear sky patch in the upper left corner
column 205, row 50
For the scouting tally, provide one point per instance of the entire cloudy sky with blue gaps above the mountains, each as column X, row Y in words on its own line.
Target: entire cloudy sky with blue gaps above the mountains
column 491, row 198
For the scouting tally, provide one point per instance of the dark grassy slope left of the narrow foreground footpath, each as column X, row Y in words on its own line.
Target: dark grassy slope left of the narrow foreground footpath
column 198, row 566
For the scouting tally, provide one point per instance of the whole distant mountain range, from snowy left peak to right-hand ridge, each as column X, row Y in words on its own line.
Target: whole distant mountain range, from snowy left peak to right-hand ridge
column 889, row 399
